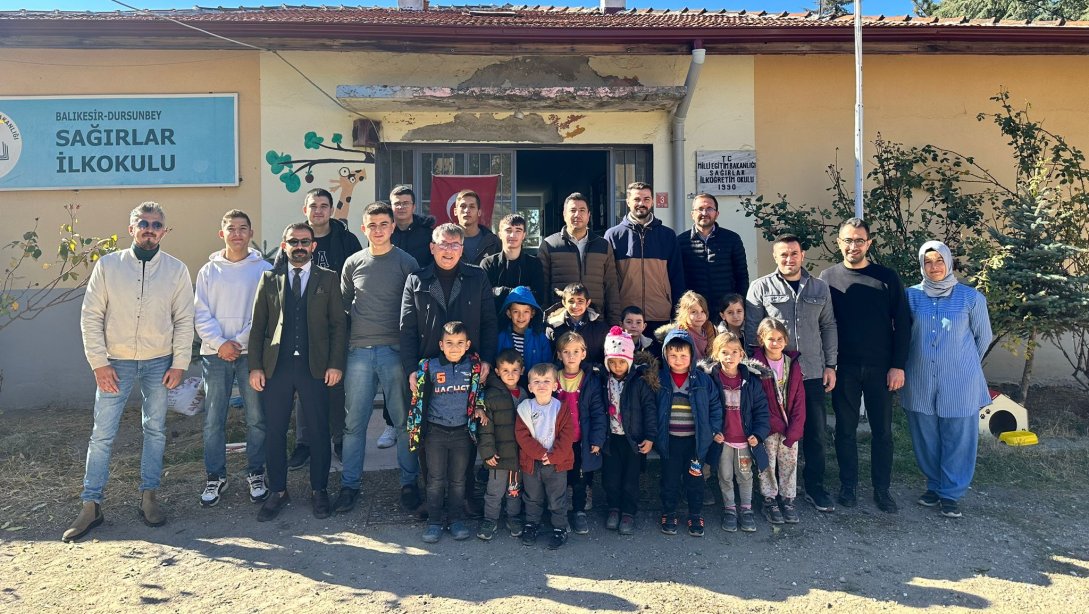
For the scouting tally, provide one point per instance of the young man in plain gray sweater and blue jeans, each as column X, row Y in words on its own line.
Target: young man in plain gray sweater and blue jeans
column 372, row 286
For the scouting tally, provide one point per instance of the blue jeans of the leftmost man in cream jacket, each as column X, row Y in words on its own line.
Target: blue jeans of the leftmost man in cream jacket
column 108, row 410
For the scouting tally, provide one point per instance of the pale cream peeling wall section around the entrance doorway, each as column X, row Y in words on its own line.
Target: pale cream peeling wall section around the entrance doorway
column 721, row 116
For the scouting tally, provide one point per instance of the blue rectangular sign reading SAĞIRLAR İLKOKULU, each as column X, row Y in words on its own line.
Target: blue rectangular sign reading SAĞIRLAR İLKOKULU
column 99, row 142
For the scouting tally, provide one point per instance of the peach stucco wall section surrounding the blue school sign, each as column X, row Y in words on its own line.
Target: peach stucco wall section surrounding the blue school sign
column 193, row 213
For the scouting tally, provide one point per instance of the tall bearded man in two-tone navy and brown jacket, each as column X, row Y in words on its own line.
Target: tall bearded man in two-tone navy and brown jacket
column 648, row 261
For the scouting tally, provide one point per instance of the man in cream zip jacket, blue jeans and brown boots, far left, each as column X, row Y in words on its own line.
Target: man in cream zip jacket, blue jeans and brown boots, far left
column 138, row 329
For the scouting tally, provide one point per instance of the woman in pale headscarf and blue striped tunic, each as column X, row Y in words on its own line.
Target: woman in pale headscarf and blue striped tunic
column 945, row 386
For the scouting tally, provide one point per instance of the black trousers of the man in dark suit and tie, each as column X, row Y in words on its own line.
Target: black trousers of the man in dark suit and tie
column 293, row 377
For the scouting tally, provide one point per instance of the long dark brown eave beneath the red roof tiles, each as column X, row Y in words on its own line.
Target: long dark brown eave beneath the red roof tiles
column 30, row 33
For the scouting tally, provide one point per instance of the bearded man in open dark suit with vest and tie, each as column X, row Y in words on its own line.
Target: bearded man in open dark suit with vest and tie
column 298, row 345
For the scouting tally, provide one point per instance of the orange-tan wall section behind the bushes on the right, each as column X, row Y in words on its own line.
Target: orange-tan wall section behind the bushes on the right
column 805, row 112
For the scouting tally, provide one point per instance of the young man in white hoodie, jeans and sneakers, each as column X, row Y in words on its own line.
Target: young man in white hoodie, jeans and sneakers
column 225, row 300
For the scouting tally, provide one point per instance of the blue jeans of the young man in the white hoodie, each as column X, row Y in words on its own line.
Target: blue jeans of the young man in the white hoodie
column 219, row 378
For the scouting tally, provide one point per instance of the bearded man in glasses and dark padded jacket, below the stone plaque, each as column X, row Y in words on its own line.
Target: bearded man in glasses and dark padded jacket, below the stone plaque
column 713, row 257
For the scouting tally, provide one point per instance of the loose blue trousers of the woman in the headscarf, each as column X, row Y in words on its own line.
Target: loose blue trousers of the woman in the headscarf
column 946, row 451
